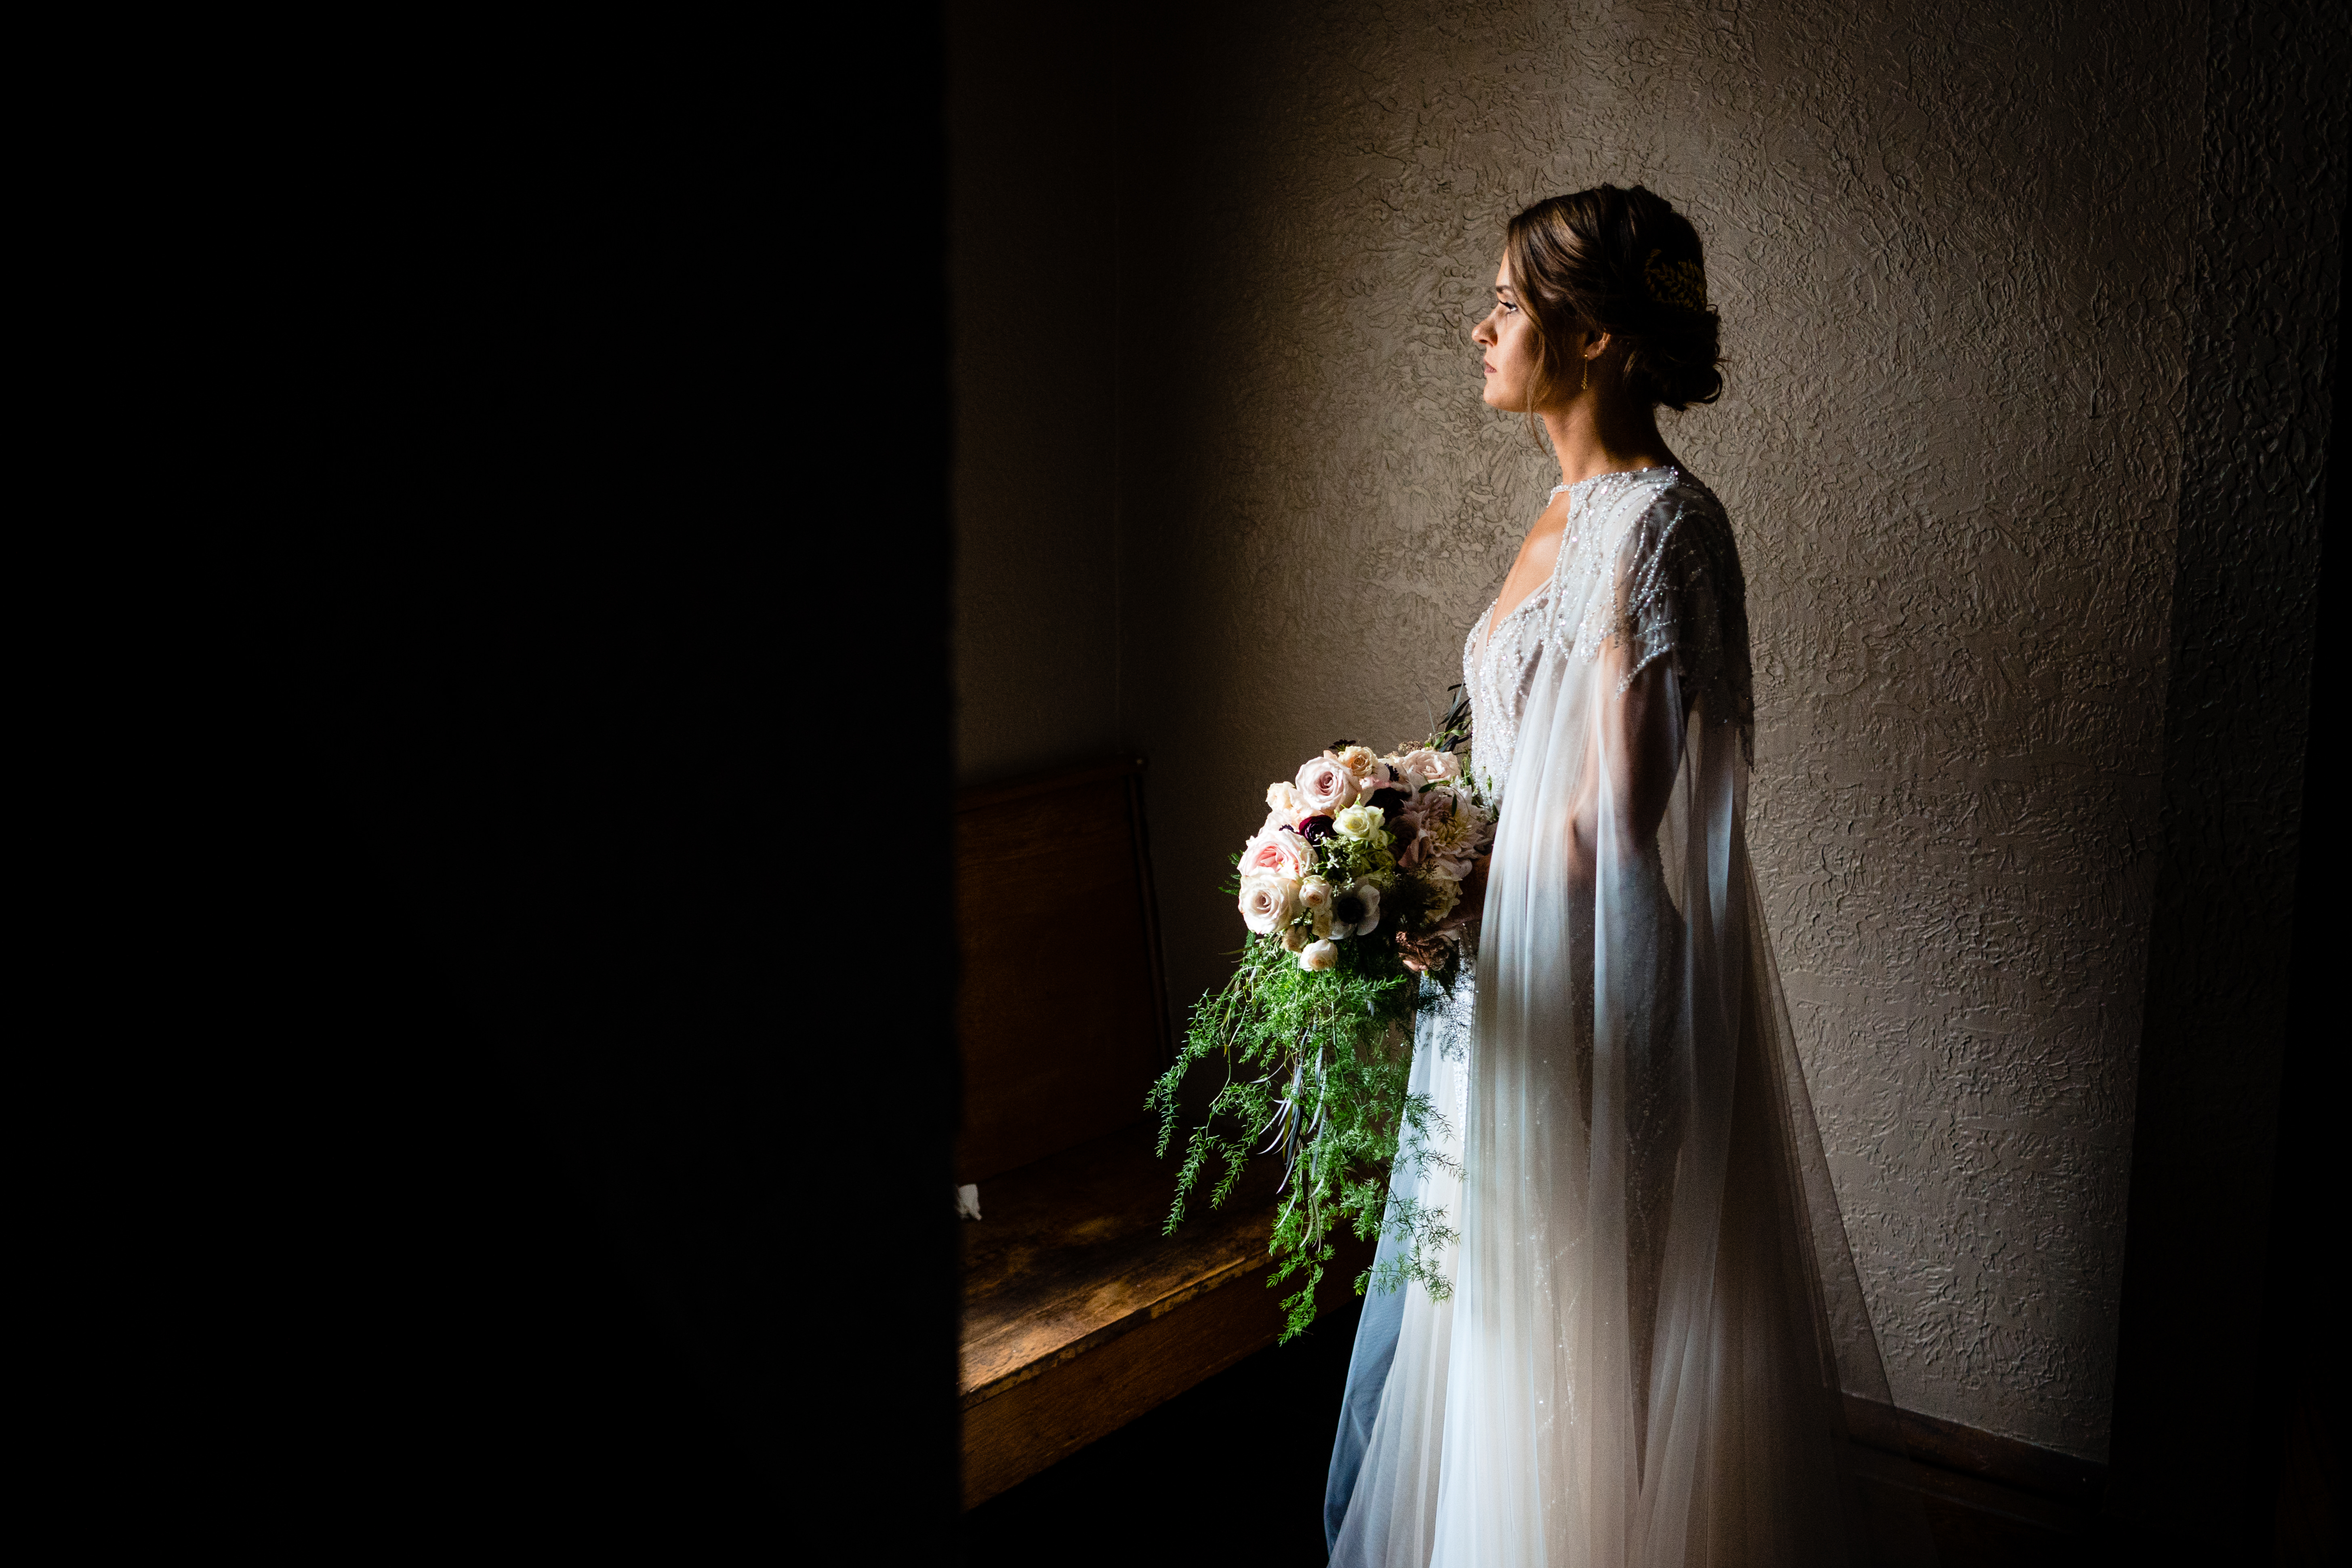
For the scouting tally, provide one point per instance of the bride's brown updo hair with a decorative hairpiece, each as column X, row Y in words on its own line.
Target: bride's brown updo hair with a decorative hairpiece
column 1619, row 262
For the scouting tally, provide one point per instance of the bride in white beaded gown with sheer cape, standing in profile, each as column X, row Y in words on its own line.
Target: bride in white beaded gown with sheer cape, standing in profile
column 1652, row 1308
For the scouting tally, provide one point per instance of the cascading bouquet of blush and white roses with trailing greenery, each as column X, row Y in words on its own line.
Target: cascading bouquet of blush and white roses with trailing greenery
column 1316, row 1026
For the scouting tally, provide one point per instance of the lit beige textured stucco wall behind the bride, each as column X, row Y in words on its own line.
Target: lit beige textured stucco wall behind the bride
column 1951, row 255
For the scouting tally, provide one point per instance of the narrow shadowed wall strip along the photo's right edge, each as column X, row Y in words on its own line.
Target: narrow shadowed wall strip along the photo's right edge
column 2193, row 1430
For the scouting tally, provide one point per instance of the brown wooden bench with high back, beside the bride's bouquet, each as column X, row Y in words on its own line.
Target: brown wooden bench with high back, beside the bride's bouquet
column 1078, row 1313
